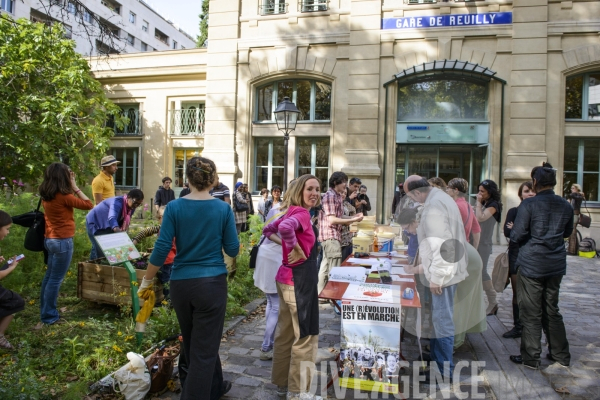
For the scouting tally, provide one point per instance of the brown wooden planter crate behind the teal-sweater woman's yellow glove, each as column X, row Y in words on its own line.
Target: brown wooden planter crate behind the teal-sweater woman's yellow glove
column 109, row 285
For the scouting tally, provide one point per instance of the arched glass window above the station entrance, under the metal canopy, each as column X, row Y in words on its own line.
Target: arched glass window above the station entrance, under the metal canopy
column 442, row 100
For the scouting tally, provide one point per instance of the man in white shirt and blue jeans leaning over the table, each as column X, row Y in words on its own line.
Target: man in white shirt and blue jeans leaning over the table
column 443, row 262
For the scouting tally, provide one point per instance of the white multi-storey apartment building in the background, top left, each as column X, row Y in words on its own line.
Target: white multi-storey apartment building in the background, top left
column 105, row 26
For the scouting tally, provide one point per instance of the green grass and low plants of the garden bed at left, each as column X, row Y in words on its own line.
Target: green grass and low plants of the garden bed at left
column 61, row 361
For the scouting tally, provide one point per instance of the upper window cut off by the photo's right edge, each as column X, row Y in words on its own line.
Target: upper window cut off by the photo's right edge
column 582, row 97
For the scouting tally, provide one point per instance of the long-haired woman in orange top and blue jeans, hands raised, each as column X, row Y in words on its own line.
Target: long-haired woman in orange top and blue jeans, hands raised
column 60, row 195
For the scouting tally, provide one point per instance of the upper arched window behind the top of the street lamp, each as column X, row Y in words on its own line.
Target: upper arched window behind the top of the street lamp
column 313, row 99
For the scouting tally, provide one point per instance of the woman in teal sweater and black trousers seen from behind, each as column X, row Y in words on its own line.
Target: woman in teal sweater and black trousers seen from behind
column 201, row 225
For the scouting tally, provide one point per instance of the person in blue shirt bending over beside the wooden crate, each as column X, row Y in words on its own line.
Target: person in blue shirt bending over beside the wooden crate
column 110, row 216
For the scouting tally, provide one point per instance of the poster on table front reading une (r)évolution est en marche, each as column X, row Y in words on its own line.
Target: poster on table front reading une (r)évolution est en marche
column 370, row 346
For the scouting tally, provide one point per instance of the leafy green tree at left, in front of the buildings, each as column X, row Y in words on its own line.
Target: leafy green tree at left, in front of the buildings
column 52, row 108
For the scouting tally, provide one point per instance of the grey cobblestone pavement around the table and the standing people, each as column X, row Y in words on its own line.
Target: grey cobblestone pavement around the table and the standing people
column 500, row 378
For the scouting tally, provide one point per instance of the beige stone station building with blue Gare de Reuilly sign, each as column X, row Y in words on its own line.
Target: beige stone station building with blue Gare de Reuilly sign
column 475, row 89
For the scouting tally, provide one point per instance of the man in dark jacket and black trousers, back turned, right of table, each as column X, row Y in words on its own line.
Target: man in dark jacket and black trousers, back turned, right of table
column 541, row 225
